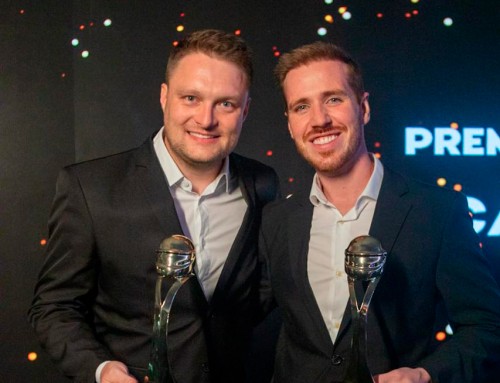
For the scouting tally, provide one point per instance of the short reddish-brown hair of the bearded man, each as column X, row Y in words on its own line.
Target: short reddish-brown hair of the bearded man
column 320, row 51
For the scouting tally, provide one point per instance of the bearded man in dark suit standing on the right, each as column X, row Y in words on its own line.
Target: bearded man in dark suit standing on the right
column 434, row 256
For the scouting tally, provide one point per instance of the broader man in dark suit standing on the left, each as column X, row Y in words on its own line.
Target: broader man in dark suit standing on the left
column 94, row 301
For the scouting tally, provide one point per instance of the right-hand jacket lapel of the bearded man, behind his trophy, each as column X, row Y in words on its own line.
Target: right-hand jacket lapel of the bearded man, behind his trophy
column 390, row 214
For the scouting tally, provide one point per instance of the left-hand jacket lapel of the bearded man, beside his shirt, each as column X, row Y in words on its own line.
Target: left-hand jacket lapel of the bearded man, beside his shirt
column 299, row 223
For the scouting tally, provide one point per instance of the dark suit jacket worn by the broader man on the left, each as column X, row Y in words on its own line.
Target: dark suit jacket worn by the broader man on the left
column 94, row 300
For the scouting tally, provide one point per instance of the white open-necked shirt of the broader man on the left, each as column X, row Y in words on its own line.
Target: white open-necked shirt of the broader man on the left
column 211, row 219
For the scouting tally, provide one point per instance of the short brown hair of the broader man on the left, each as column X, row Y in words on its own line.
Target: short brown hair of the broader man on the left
column 214, row 43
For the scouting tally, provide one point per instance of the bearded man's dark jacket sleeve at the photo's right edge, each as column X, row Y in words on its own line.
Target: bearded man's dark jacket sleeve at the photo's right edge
column 472, row 301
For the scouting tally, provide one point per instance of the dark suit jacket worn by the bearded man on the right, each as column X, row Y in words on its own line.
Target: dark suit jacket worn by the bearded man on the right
column 433, row 257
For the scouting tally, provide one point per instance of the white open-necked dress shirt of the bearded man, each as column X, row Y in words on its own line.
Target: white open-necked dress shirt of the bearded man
column 331, row 234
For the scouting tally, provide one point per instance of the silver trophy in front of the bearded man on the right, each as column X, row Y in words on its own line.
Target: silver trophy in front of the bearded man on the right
column 364, row 262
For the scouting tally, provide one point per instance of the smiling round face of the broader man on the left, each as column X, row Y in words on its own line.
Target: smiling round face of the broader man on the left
column 204, row 106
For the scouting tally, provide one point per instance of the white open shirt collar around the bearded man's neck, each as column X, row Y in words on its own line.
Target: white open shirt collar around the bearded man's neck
column 371, row 190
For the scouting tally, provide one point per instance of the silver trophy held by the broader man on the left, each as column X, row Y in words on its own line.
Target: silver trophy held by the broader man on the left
column 175, row 259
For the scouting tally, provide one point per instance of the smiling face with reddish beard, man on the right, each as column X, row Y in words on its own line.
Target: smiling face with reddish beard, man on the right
column 325, row 118
